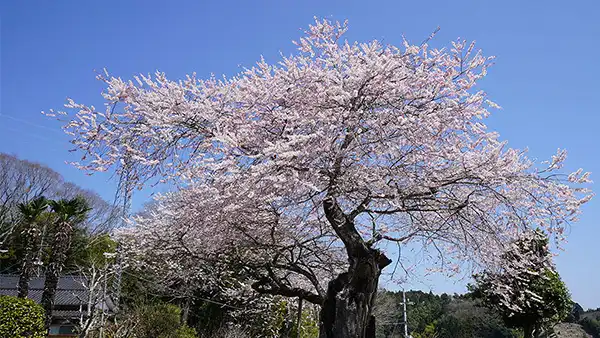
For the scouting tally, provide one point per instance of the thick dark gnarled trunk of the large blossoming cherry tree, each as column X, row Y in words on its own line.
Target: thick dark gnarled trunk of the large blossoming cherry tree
column 347, row 308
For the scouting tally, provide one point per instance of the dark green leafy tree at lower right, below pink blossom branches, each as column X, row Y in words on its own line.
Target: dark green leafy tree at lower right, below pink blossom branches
column 527, row 291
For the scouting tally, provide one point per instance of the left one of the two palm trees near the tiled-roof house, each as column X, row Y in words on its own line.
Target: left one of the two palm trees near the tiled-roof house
column 32, row 234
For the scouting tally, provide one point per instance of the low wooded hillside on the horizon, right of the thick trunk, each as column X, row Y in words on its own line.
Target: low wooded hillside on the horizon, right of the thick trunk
column 463, row 316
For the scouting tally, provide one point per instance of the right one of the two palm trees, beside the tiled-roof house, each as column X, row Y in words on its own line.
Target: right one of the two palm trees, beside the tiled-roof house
column 68, row 213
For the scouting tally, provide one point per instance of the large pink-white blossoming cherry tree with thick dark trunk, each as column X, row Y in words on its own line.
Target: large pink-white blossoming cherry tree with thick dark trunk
column 320, row 158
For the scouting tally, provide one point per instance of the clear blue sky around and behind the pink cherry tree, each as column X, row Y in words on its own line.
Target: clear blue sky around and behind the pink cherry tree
column 546, row 76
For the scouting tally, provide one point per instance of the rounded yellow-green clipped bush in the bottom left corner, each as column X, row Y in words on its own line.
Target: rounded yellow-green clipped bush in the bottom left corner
column 21, row 318
